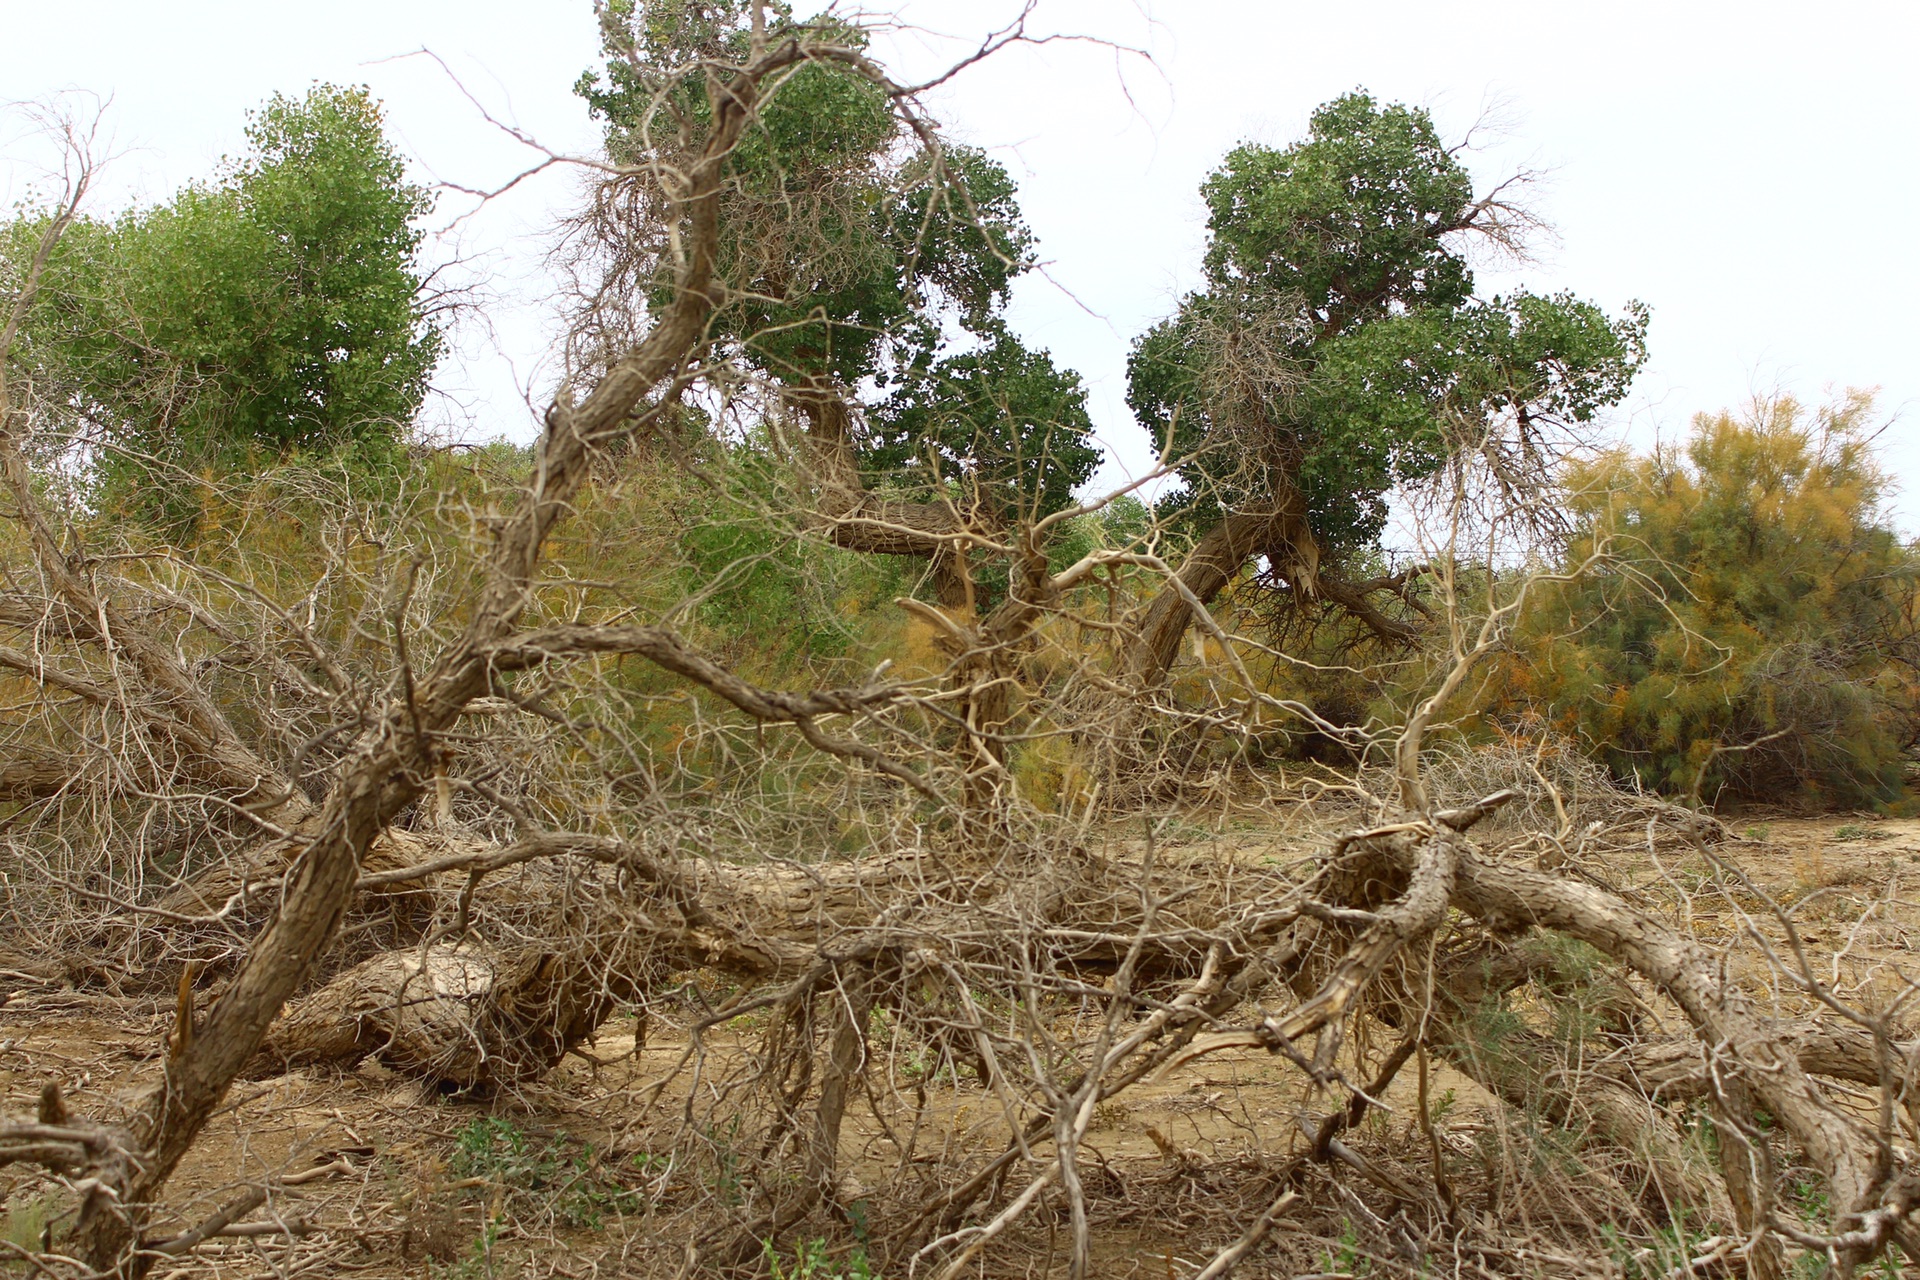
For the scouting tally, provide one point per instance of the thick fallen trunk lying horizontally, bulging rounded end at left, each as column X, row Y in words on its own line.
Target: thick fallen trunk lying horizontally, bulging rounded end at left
column 481, row 1014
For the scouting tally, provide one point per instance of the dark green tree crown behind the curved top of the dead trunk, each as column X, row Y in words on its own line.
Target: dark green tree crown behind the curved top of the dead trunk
column 863, row 260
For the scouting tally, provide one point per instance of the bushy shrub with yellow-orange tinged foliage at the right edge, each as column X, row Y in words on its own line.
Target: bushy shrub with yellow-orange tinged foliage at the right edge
column 1750, row 630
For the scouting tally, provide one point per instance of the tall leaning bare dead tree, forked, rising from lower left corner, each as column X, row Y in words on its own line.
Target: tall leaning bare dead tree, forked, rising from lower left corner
column 398, row 753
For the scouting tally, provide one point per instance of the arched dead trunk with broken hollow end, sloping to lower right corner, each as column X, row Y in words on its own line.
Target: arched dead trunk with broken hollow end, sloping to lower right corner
column 1740, row 1060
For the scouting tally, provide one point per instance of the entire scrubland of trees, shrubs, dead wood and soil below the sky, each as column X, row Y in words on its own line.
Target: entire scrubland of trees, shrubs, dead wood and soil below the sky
column 786, row 822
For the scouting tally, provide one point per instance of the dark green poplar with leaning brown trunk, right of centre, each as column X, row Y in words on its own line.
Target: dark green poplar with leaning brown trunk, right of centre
column 1339, row 350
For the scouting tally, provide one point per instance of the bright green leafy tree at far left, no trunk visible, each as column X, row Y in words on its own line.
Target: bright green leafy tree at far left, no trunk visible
column 277, row 312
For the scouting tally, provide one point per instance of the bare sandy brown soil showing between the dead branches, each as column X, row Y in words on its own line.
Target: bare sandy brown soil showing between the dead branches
column 383, row 1179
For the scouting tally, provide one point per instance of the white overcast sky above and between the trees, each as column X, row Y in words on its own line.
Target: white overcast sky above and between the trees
column 1746, row 170
